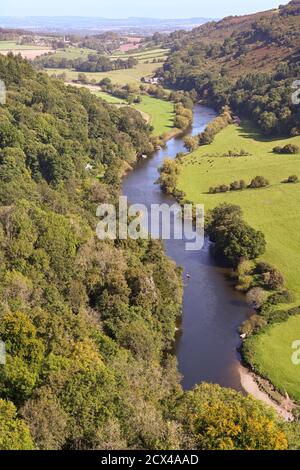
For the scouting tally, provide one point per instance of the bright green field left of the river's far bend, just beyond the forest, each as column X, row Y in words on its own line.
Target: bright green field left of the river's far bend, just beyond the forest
column 160, row 112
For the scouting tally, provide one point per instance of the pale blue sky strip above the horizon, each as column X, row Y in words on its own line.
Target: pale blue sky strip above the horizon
column 145, row 8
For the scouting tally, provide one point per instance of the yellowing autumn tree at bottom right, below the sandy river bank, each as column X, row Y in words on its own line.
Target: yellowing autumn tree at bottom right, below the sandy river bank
column 222, row 419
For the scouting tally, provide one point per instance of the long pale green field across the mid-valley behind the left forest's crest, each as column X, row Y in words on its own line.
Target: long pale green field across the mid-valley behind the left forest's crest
column 117, row 76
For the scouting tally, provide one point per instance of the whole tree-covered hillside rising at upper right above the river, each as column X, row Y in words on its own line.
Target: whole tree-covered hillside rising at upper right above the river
column 248, row 63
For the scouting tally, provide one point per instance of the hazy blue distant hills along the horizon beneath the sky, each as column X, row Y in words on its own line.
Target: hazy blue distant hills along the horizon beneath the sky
column 87, row 25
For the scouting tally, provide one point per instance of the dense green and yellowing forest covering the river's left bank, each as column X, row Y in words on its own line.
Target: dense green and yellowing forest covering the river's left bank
column 89, row 324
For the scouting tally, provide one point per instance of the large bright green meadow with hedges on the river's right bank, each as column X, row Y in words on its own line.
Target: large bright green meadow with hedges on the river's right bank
column 274, row 210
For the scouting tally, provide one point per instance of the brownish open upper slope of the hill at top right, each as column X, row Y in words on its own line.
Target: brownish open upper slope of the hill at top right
column 260, row 41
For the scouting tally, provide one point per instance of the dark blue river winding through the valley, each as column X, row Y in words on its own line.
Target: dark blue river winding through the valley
column 207, row 343
